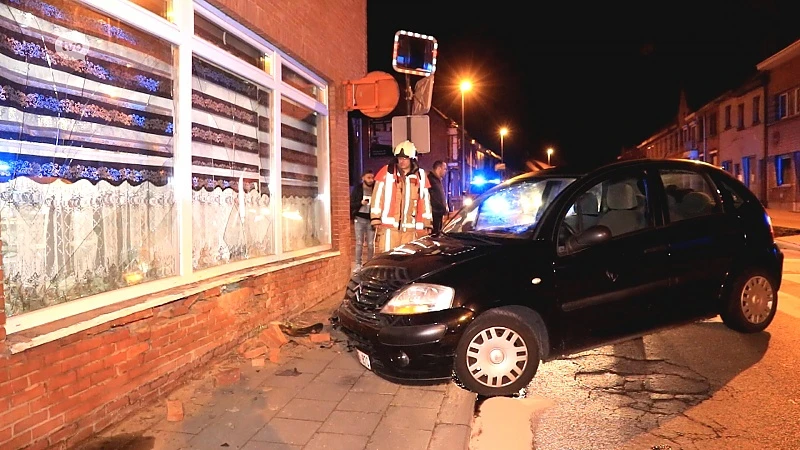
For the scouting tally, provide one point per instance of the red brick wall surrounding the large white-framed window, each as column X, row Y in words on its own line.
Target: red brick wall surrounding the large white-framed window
column 57, row 394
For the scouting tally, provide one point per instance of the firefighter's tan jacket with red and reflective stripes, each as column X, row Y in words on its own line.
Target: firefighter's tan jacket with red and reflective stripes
column 401, row 202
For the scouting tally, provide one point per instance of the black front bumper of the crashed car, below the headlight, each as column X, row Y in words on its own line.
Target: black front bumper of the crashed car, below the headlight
column 418, row 347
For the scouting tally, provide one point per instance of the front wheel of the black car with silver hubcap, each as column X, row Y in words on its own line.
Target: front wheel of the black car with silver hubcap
column 505, row 341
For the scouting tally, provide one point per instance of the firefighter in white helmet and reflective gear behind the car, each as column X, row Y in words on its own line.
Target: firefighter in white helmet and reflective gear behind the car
column 401, row 208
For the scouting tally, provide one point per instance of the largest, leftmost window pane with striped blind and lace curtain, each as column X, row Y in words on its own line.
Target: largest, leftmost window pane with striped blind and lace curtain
column 88, row 204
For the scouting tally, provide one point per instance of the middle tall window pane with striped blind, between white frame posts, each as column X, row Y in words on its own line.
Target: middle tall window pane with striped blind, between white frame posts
column 231, row 220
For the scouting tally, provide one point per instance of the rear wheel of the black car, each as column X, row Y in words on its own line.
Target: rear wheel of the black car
column 751, row 302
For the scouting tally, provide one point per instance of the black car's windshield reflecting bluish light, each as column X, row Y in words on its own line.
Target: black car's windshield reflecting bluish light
column 508, row 211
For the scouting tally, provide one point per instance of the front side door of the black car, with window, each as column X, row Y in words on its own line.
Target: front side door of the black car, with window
column 606, row 291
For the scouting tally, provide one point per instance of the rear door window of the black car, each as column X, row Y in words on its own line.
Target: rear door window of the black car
column 689, row 195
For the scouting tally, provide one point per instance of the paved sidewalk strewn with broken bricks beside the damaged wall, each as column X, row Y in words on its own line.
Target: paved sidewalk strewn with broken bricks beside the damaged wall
column 314, row 398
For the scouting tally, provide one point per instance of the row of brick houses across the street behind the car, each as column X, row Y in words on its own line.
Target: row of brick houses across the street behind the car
column 752, row 131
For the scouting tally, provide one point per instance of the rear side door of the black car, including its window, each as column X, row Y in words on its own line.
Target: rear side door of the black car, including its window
column 703, row 240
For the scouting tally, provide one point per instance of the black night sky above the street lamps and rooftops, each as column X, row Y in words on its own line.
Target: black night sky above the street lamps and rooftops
column 584, row 77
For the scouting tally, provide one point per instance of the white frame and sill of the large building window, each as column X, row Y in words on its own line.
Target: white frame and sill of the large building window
column 180, row 33
